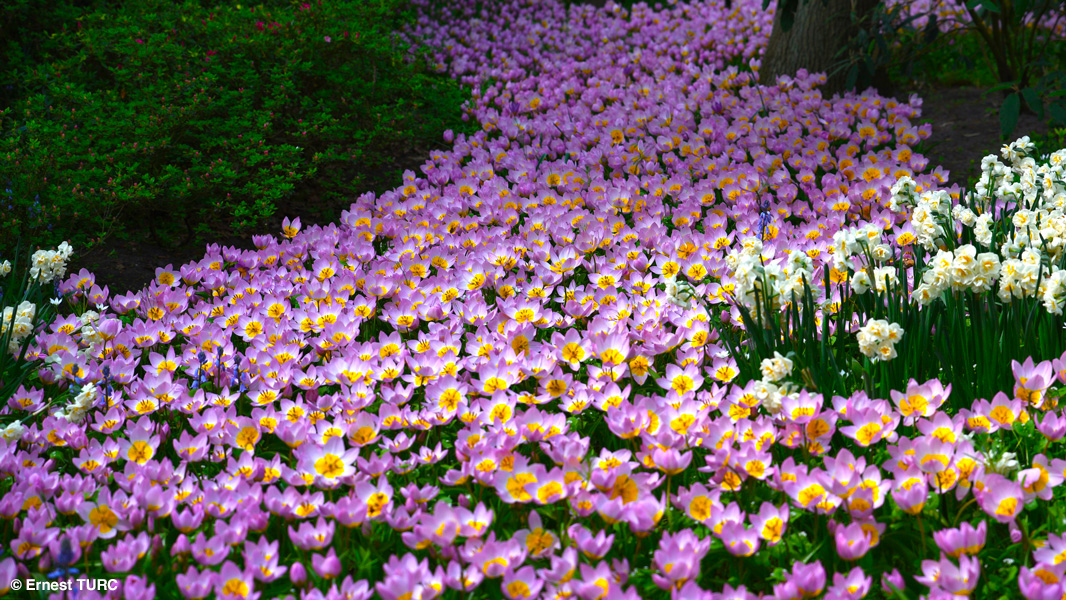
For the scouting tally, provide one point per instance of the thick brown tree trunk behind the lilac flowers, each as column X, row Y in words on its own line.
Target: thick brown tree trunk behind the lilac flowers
column 822, row 28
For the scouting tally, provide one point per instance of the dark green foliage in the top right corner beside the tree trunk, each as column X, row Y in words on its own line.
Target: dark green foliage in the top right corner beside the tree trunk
column 996, row 46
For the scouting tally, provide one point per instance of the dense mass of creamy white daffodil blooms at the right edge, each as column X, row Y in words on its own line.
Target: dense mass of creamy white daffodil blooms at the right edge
column 1017, row 215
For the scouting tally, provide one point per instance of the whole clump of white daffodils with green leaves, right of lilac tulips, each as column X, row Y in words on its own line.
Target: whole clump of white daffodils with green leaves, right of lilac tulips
column 958, row 334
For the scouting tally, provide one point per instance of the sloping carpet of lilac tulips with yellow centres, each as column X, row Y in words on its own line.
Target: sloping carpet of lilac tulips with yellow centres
column 518, row 374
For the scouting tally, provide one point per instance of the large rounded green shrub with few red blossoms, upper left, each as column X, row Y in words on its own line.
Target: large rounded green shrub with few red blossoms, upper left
column 189, row 118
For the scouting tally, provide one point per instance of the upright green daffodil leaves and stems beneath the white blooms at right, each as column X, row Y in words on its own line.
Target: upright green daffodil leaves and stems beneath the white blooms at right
column 964, row 338
